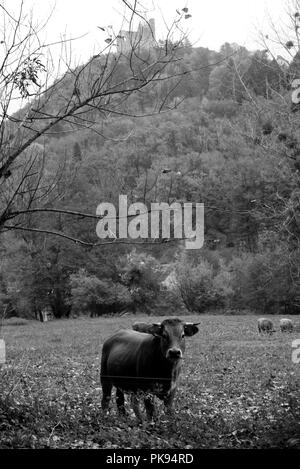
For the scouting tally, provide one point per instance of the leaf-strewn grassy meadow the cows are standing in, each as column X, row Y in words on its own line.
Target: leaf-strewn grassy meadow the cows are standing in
column 238, row 389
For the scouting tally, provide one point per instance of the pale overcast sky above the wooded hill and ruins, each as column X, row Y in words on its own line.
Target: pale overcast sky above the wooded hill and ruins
column 213, row 22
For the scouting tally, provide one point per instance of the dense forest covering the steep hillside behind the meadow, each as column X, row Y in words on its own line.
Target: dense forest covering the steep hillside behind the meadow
column 229, row 137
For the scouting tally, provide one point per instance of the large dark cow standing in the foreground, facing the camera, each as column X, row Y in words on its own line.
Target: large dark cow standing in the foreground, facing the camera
column 147, row 362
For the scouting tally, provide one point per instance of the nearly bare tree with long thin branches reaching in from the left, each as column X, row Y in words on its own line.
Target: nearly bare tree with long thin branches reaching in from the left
column 83, row 96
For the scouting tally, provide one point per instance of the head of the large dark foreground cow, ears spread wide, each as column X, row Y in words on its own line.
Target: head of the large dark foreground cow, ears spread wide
column 172, row 333
